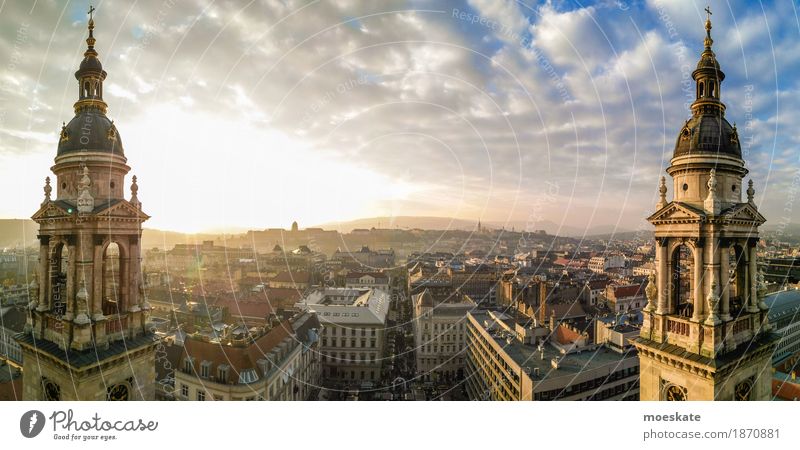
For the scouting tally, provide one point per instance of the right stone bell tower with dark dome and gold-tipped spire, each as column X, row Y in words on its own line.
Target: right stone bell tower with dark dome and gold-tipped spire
column 705, row 334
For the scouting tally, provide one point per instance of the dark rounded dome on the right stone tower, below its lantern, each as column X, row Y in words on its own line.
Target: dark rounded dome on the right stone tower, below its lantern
column 708, row 134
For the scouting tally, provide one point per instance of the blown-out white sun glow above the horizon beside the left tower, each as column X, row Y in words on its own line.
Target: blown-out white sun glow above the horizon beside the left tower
column 198, row 172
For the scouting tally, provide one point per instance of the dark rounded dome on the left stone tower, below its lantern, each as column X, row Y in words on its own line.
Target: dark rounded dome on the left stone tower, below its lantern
column 90, row 130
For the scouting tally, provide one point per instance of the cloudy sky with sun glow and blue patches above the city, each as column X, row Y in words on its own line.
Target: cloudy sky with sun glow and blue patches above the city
column 238, row 115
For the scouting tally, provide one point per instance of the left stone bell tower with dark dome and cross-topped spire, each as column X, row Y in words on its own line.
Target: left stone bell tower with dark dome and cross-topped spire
column 87, row 337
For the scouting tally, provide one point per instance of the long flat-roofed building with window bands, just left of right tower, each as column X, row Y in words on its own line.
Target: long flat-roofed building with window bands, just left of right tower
column 509, row 360
